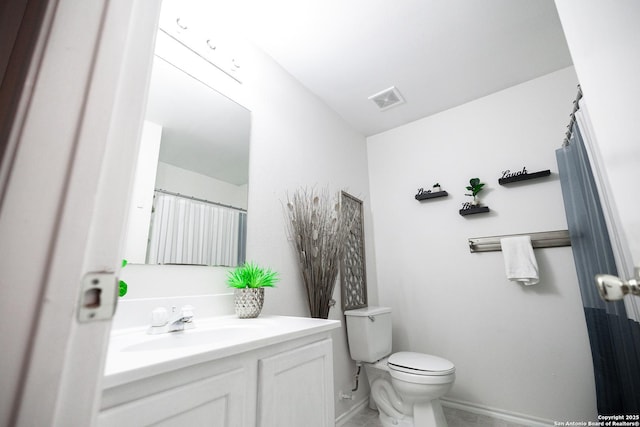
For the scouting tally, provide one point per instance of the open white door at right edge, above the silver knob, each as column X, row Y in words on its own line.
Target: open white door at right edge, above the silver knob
column 604, row 40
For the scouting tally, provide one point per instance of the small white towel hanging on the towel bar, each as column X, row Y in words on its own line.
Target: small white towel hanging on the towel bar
column 519, row 261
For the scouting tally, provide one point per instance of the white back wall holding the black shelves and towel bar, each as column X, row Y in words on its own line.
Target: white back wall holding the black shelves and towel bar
column 520, row 349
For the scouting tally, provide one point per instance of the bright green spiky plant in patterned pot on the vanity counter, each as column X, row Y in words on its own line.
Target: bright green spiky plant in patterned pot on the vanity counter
column 249, row 281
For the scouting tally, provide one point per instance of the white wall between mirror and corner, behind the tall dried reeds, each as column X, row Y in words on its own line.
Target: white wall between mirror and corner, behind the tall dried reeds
column 298, row 141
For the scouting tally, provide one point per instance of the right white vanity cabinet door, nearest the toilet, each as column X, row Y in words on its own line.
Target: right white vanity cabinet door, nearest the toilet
column 295, row 388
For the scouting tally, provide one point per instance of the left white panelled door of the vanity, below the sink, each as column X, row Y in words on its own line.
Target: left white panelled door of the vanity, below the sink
column 216, row 401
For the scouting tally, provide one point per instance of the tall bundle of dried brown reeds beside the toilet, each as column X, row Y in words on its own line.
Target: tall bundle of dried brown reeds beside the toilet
column 318, row 233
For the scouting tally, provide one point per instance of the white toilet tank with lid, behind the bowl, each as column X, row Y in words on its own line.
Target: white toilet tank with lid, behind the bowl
column 369, row 333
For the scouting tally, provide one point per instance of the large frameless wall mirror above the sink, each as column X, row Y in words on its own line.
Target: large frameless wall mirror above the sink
column 190, row 188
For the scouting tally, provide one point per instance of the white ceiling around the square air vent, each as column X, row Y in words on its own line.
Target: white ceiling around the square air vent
column 438, row 53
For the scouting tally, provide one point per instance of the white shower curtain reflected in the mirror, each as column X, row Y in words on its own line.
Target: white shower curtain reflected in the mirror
column 186, row 231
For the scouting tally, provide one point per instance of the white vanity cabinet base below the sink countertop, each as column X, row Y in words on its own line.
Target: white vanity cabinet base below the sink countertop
column 277, row 383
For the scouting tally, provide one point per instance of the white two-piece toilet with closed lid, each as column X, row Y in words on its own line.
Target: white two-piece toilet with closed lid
column 406, row 386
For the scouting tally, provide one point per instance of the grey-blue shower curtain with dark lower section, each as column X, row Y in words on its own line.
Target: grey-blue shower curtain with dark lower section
column 614, row 338
